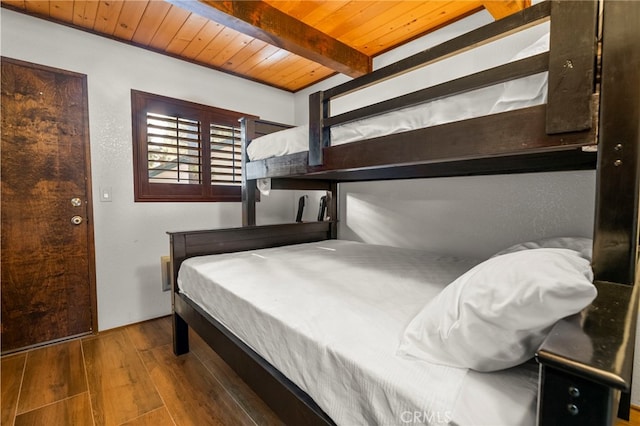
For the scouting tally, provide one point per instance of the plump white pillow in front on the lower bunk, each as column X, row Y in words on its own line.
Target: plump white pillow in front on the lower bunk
column 497, row 314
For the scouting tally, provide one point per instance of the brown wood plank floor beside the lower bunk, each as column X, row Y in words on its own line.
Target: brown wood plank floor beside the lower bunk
column 127, row 376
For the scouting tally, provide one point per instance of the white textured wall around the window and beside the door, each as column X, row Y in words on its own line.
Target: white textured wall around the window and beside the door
column 130, row 237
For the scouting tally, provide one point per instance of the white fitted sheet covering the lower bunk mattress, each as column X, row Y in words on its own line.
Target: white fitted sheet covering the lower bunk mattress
column 329, row 315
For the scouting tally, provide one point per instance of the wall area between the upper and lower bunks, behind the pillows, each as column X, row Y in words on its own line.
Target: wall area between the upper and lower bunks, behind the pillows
column 469, row 216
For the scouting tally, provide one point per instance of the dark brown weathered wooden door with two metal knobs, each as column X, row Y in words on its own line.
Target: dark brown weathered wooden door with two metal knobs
column 48, row 272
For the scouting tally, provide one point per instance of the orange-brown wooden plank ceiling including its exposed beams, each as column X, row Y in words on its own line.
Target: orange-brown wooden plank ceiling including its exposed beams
column 285, row 44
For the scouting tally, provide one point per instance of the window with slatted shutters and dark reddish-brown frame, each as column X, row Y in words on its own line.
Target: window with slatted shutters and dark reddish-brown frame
column 185, row 151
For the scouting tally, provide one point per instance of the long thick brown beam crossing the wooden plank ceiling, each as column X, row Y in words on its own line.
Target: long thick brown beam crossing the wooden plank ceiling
column 263, row 21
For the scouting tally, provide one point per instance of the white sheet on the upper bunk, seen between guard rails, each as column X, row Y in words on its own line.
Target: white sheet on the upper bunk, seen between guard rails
column 520, row 93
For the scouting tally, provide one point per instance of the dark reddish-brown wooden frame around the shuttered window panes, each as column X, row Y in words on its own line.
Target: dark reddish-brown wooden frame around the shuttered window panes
column 205, row 191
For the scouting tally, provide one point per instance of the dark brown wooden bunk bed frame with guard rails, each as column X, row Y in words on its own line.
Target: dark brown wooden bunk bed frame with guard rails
column 590, row 121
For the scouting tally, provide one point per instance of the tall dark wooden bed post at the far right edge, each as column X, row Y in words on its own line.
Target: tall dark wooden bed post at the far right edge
column 616, row 223
